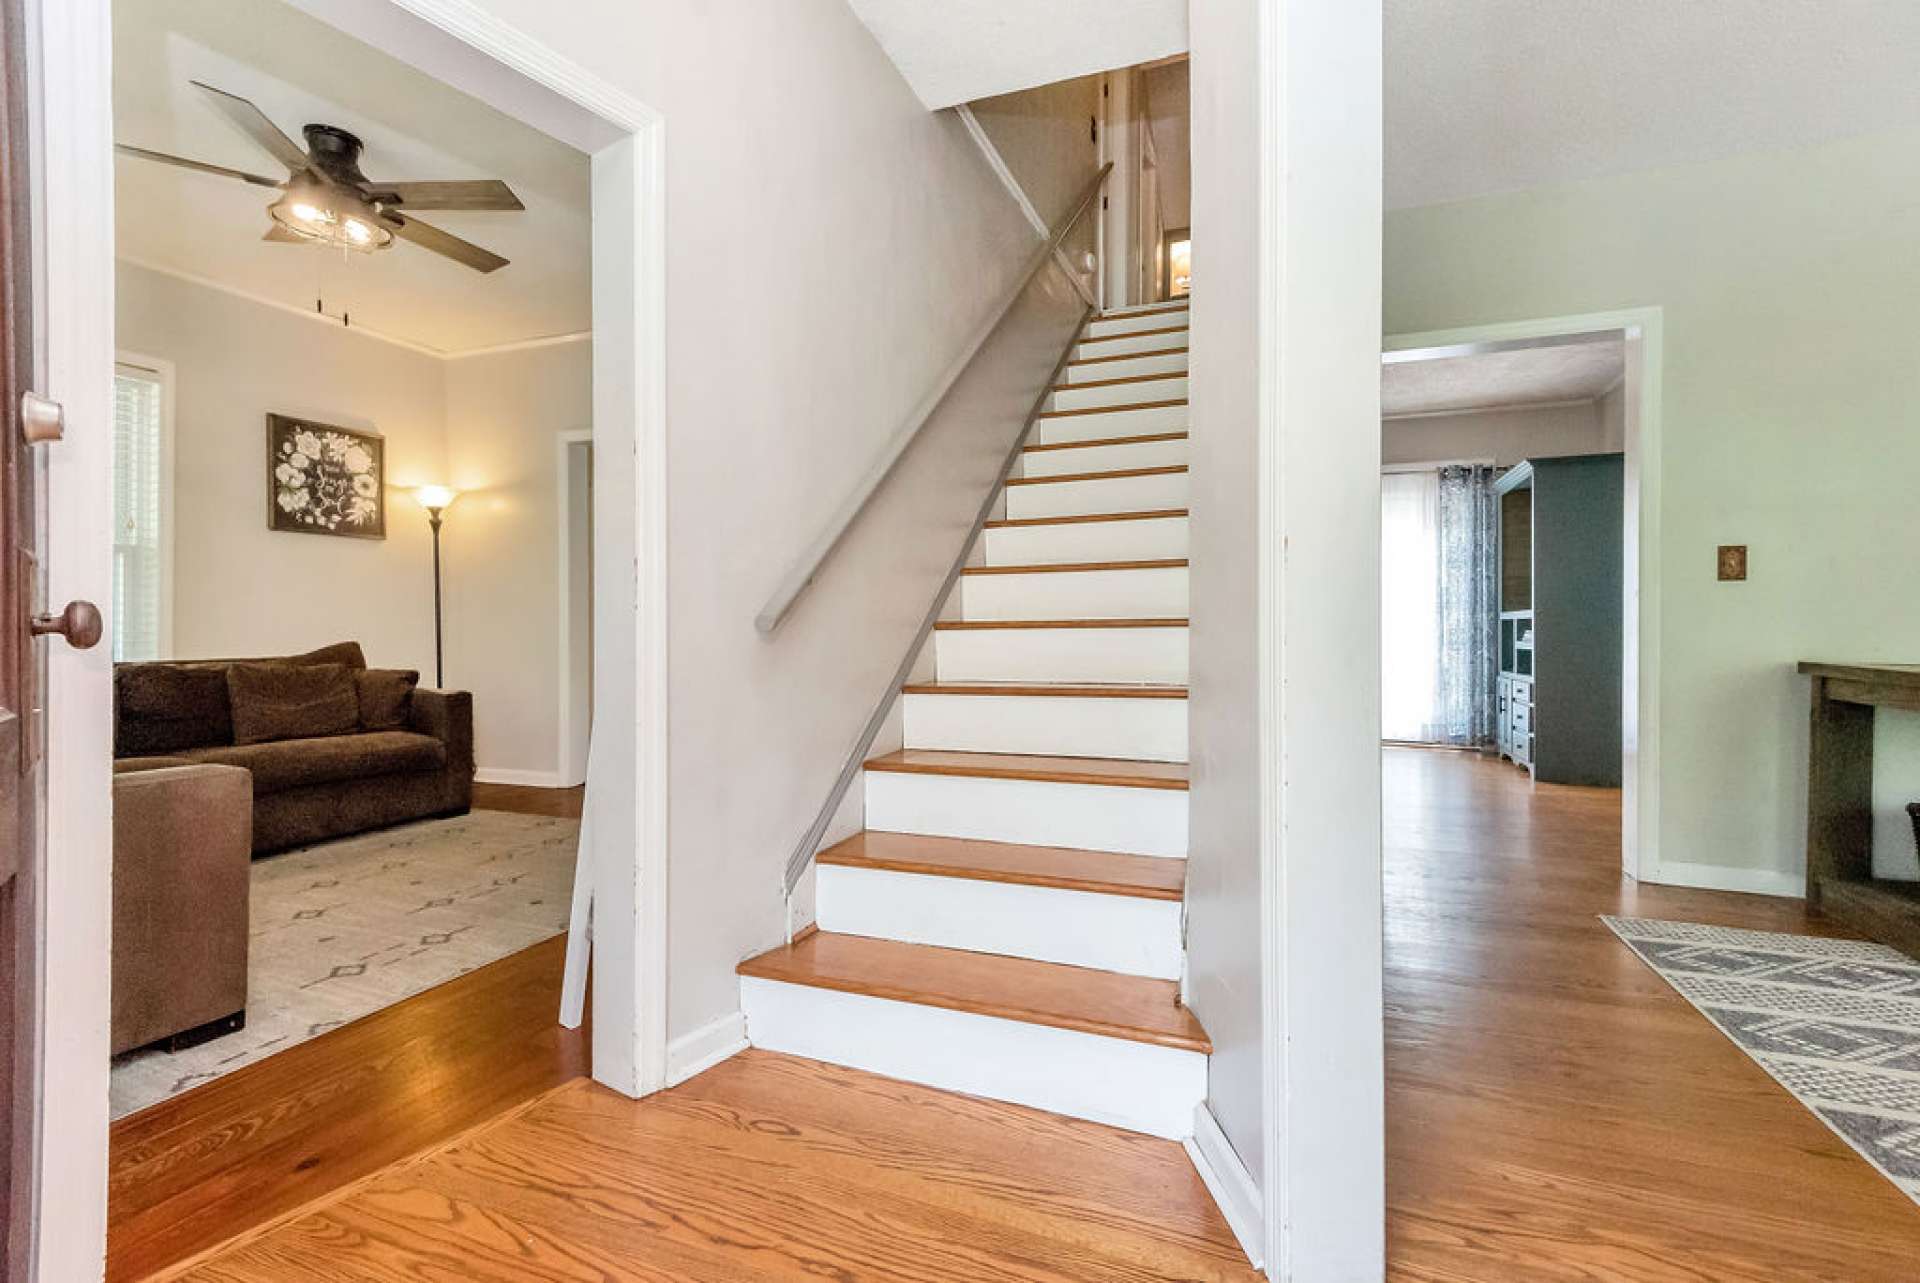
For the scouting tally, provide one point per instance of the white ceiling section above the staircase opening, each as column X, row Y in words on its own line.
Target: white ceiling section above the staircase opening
column 965, row 51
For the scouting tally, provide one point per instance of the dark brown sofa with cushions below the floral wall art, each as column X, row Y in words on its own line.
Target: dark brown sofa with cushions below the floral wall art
column 333, row 746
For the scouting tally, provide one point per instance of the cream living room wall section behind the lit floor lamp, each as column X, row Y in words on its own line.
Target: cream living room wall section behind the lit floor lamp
column 502, row 546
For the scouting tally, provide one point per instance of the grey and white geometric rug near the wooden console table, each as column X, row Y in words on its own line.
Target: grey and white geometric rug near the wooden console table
column 1835, row 1021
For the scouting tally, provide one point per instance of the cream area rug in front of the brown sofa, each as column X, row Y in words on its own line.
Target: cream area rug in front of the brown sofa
column 345, row 929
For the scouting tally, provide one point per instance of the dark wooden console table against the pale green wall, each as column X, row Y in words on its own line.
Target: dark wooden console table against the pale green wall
column 1840, row 802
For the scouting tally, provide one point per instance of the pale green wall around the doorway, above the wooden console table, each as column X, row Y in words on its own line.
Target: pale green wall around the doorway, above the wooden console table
column 1790, row 337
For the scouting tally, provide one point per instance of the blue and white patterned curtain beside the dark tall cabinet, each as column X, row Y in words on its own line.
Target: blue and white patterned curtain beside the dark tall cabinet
column 1470, row 606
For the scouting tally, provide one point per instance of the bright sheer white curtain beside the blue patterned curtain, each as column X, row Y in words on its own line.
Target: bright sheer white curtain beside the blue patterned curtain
column 1410, row 606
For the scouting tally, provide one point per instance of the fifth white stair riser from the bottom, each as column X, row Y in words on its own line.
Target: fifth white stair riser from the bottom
column 1063, row 656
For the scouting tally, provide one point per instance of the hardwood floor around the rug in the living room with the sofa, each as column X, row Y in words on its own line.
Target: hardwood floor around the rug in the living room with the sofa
column 276, row 1136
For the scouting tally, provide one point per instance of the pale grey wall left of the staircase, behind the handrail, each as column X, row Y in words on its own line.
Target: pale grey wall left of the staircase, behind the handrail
column 821, row 276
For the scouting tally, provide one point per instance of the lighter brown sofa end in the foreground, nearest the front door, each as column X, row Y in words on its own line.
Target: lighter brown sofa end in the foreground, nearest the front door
column 183, row 840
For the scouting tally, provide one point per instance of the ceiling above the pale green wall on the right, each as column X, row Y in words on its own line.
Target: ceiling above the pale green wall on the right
column 1504, row 95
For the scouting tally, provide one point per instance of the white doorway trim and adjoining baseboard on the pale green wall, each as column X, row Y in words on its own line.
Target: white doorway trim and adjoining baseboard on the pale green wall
column 1641, row 689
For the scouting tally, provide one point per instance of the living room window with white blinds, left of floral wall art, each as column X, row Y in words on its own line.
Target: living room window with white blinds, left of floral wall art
column 141, row 610
